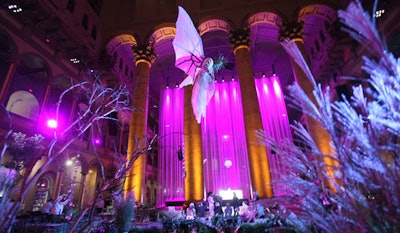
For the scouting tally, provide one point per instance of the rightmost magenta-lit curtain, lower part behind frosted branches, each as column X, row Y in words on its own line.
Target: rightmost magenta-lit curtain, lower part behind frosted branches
column 275, row 123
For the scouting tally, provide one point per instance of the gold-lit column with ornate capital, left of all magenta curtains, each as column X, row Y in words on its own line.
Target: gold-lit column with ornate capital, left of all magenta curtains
column 144, row 57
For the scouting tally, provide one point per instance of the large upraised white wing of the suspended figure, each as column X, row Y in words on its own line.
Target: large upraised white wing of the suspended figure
column 188, row 47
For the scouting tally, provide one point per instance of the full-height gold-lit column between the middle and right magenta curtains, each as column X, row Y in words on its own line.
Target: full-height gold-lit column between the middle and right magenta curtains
column 258, row 157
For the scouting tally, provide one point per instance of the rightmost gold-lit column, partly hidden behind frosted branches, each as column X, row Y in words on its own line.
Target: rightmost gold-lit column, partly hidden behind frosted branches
column 294, row 31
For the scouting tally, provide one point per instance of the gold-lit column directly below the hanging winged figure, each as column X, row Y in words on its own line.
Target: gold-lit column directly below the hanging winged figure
column 194, row 185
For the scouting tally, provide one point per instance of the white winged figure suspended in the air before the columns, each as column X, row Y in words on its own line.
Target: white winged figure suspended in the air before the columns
column 189, row 57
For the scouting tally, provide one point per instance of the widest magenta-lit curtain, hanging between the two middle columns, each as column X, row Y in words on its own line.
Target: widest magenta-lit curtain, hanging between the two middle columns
column 224, row 141
